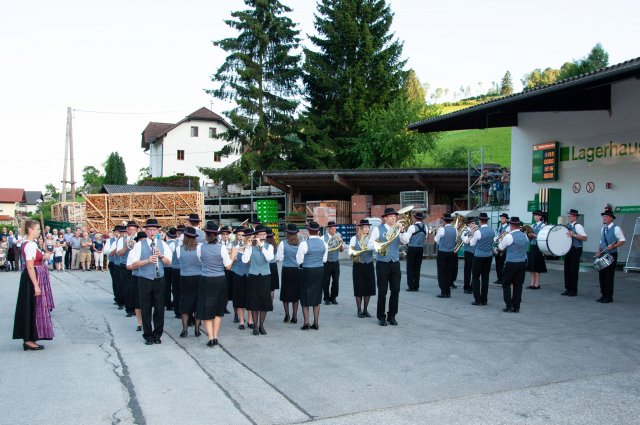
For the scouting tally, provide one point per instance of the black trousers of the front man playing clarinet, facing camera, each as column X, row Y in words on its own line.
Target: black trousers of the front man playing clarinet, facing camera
column 152, row 304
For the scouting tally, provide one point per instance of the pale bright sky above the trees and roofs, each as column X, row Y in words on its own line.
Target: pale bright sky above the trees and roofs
column 120, row 64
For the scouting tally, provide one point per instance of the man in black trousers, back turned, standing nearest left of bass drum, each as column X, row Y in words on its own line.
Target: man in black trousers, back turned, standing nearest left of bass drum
column 515, row 243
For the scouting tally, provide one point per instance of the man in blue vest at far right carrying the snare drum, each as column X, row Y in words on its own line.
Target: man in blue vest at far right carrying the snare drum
column 611, row 238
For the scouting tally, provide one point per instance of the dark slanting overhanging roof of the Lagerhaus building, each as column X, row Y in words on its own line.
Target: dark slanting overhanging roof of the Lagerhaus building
column 586, row 92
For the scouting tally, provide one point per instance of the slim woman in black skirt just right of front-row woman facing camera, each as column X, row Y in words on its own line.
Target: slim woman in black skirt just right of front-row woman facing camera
column 290, row 285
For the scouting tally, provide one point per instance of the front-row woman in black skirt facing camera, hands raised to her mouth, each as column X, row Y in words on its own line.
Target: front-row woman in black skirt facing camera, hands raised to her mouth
column 258, row 254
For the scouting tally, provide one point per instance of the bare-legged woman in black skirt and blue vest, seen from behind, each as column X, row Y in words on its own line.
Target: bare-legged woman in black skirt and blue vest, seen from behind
column 212, row 289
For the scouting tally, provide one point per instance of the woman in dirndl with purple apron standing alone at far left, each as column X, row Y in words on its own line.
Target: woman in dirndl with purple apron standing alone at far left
column 35, row 300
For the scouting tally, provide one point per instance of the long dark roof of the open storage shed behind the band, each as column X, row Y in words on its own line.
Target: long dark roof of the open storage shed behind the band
column 328, row 183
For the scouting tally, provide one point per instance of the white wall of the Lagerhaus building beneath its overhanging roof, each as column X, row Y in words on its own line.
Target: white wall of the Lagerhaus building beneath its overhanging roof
column 583, row 130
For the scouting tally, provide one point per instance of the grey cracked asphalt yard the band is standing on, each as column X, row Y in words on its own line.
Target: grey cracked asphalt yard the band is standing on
column 560, row 360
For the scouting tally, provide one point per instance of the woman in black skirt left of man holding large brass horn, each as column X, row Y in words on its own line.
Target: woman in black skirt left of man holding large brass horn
column 364, row 277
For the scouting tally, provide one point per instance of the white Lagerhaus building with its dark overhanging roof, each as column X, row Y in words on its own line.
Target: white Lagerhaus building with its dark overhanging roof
column 592, row 121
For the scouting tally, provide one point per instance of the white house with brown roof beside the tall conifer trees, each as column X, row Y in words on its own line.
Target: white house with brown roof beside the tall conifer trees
column 179, row 149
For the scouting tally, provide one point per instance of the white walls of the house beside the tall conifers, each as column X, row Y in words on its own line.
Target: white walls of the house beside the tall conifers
column 198, row 151
